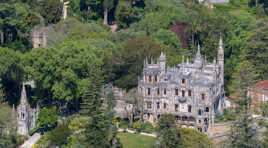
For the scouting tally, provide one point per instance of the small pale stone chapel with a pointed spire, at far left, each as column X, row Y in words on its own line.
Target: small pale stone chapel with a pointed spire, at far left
column 27, row 116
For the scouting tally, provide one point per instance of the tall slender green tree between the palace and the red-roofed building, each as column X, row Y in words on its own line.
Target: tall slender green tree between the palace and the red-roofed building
column 243, row 134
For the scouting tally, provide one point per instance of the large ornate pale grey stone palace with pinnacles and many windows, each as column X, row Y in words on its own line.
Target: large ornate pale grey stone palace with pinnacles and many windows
column 193, row 92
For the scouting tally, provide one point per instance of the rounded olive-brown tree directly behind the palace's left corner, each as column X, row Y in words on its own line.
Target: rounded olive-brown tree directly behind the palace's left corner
column 129, row 60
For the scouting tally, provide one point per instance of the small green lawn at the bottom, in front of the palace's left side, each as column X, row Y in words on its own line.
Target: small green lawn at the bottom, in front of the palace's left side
column 136, row 141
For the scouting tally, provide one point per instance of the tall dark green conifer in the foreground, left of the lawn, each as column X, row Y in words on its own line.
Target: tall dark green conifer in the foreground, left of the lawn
column 99, row 131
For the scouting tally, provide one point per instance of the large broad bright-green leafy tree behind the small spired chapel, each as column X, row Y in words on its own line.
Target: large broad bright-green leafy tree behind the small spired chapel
column 61, row 73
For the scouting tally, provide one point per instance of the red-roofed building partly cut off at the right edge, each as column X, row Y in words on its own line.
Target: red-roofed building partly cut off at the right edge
column 259, row 93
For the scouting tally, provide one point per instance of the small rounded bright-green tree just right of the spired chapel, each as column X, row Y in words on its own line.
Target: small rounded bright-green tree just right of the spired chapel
column 47, row 119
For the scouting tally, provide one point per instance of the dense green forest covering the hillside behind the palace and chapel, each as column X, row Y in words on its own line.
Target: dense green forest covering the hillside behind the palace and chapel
column 84, row 52
